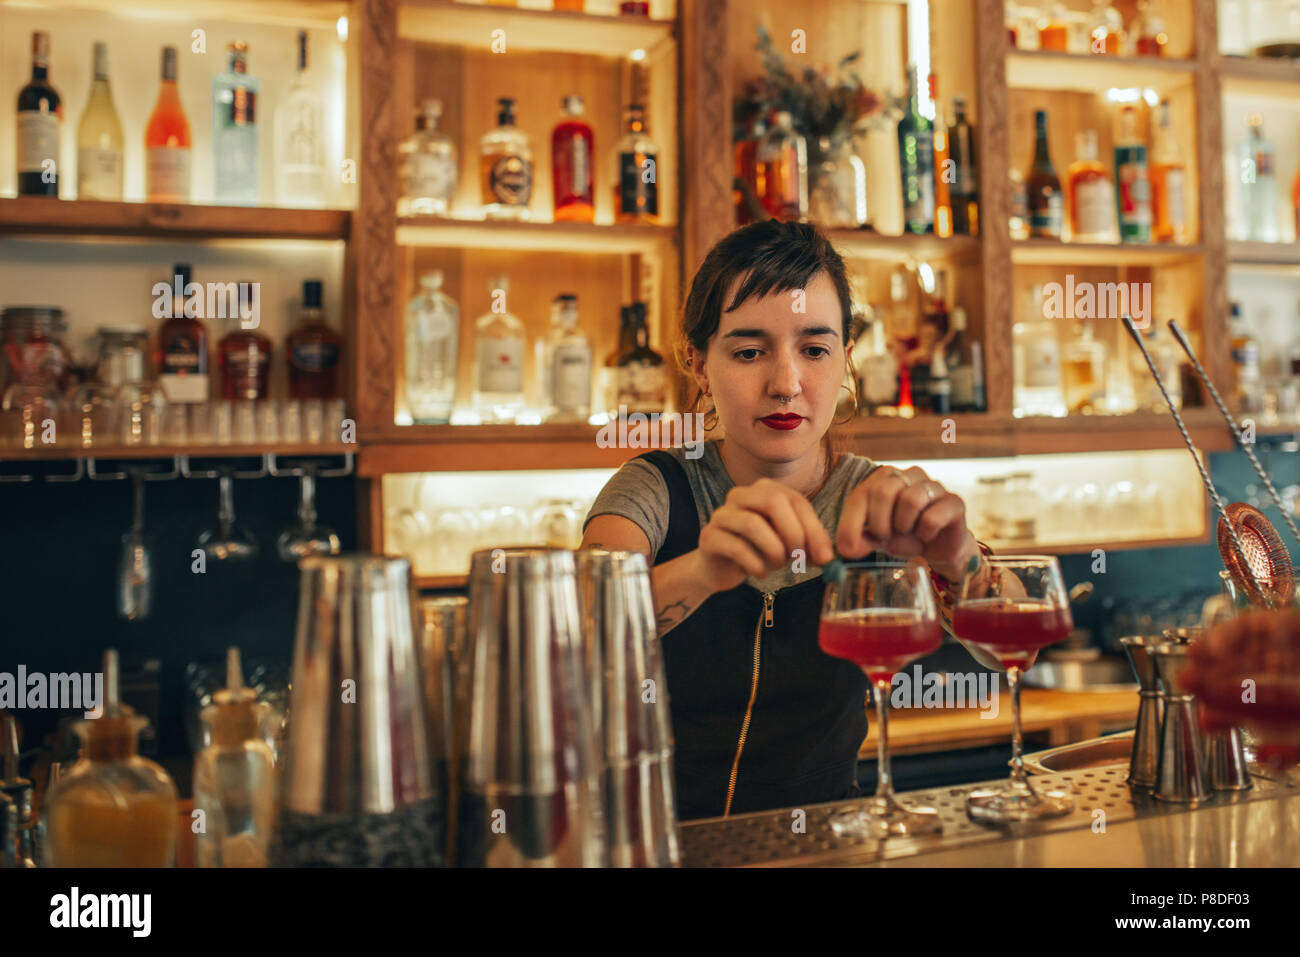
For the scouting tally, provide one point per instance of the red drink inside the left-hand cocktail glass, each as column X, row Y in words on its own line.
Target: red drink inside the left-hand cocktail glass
column 881, row 642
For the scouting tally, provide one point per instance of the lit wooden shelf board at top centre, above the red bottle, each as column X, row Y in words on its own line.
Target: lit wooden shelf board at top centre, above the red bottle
column 476, row 28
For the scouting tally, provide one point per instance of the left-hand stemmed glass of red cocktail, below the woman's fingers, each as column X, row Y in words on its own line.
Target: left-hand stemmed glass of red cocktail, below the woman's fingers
column 882, row 617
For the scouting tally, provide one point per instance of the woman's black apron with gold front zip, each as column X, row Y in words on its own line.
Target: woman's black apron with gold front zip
column 809, row 714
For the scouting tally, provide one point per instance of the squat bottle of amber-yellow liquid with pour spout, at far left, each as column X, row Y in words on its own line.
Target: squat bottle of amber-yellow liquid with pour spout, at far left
column 114, row 809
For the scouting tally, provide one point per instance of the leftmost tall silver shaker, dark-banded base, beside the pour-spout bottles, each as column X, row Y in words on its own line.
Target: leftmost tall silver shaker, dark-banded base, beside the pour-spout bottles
column 358, row 790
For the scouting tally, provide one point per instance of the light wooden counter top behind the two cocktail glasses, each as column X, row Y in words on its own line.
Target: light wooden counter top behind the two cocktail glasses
column 1047, row 718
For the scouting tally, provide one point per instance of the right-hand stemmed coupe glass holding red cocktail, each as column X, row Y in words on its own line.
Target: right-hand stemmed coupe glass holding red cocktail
column 1015, row 609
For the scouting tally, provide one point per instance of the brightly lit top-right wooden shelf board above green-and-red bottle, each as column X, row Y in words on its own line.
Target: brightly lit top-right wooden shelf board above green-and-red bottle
column 1034, row 70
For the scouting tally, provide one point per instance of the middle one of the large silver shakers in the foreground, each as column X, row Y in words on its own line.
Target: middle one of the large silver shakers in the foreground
column 530, row 791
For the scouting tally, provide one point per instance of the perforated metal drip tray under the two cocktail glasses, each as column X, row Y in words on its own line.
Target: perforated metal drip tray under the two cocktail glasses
column 773, row 839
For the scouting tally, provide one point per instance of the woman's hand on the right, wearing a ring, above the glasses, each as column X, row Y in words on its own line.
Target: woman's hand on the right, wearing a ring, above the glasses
column 907, row 513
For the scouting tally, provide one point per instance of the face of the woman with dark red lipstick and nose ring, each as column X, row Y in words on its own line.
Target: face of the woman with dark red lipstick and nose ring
column 783, row 345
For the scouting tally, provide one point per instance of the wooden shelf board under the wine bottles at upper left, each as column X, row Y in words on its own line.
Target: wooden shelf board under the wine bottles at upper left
column 41, row 216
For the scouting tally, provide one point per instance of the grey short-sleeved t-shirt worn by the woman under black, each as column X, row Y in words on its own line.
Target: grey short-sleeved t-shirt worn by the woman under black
column 639, row 493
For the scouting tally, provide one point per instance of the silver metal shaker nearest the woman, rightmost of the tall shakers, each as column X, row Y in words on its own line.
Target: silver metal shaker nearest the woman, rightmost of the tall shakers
column 630, row 699
